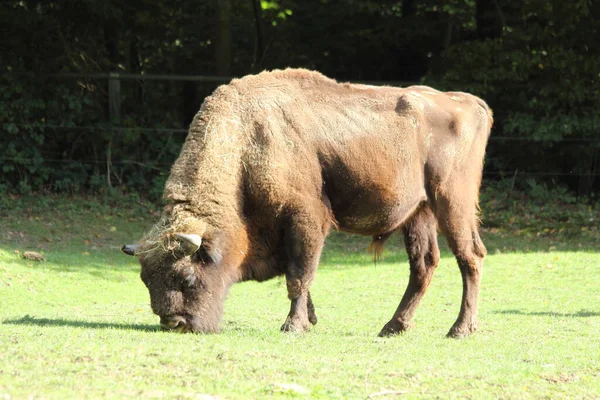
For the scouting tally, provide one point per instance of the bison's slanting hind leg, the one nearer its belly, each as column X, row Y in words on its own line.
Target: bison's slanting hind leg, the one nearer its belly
column 420, row 238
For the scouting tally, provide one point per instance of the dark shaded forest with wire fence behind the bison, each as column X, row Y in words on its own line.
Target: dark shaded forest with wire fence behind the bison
column 66, row 126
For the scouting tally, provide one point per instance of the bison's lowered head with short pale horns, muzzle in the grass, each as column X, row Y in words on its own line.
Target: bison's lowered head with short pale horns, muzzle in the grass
column 187, row 280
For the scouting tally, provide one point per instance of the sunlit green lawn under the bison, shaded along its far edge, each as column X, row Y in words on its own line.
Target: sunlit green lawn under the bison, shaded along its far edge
column 79, row 325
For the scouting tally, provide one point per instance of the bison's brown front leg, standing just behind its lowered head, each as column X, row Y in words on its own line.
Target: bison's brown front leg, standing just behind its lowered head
column 304, row 243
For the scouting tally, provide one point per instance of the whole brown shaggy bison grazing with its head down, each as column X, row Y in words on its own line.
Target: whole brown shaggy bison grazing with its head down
column 273, row 161
